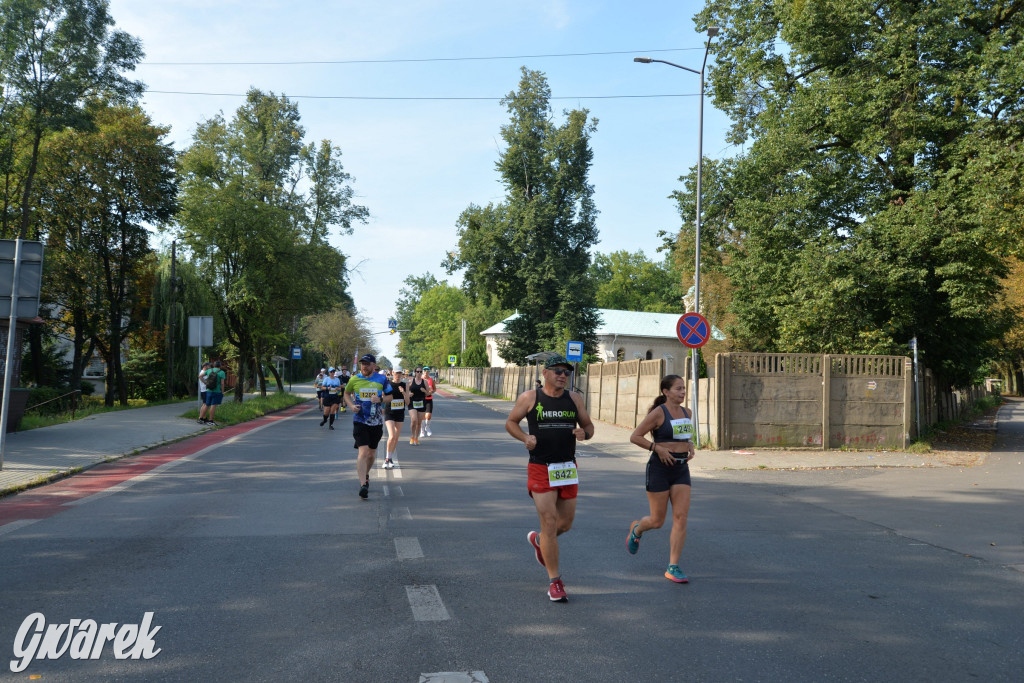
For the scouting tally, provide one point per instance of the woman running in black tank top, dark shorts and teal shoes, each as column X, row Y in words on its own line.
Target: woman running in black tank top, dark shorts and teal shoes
column 671, row 446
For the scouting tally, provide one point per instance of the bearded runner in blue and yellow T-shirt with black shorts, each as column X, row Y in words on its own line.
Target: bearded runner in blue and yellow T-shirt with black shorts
column 365, row 394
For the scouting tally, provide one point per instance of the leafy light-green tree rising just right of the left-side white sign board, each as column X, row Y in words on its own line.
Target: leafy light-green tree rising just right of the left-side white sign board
column 259, row 239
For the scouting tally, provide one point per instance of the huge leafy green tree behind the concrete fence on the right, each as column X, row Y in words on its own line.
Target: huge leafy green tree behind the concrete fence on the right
column 858, row 217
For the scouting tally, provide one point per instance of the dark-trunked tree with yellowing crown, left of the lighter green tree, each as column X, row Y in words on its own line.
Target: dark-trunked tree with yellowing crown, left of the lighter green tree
column 98, row 192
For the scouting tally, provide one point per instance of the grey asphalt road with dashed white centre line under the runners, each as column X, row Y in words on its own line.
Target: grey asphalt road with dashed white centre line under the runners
column 261, row 563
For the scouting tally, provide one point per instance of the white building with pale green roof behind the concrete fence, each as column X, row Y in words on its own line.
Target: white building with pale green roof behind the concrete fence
column 622, row 335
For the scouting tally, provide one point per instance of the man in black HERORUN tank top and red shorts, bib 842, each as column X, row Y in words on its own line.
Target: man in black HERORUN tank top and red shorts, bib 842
column 557, row 419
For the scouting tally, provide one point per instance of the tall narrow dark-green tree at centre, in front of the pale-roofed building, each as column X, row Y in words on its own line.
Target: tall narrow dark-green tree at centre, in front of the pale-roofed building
column 531, row 252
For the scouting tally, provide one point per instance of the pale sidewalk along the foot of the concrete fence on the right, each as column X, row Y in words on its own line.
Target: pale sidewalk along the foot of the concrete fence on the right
column 616, row 441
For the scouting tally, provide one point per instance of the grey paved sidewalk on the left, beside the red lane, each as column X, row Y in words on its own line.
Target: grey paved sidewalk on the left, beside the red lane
column 38, row 456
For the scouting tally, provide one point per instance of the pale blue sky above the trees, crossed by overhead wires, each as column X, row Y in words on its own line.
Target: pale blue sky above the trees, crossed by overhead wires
column 418, row 163
